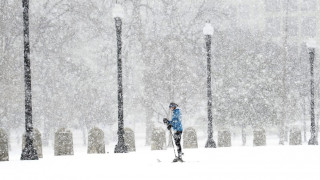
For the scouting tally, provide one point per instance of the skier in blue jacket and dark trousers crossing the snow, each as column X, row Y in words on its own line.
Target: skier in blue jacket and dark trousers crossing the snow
column 176, row 125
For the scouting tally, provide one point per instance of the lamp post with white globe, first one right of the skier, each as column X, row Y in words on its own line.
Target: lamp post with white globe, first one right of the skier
column 208, row 32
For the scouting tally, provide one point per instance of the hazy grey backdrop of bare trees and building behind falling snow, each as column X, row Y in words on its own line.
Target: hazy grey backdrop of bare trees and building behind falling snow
column 260, row 66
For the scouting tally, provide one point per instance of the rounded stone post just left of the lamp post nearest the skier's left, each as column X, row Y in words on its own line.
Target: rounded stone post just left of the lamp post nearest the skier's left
column 96, row 144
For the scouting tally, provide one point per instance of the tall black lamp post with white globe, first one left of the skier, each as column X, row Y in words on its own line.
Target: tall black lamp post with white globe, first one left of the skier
column 118, row 14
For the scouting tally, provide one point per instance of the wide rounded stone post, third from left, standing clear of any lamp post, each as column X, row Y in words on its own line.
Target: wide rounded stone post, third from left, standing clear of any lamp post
column 63, row 142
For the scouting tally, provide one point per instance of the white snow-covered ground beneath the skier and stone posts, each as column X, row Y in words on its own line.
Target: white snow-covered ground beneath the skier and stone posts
column 271, row 162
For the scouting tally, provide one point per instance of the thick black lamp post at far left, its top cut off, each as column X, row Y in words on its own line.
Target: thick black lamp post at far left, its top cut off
column 29, row 152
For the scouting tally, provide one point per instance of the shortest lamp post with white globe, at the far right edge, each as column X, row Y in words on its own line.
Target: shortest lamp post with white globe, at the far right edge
column 311, row 45
